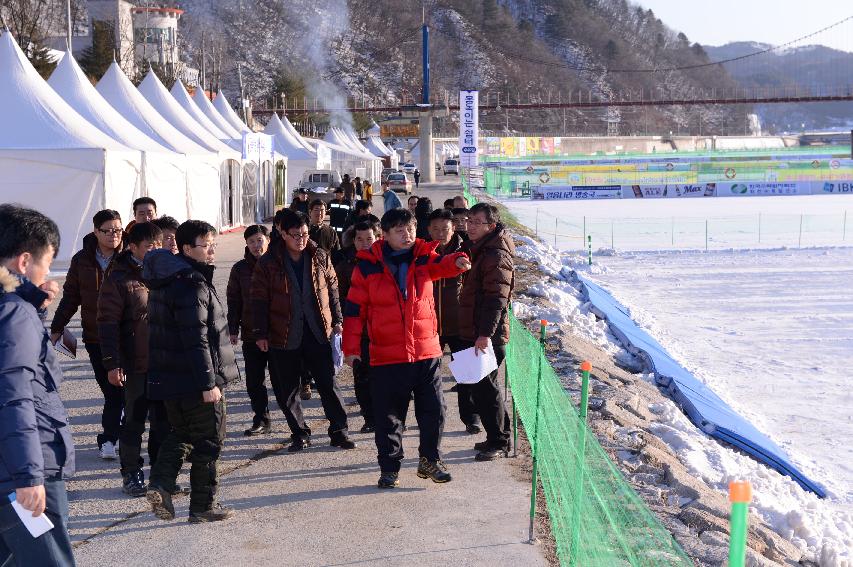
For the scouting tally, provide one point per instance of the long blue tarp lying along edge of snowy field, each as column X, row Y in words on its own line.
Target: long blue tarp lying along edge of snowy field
column 701, row 404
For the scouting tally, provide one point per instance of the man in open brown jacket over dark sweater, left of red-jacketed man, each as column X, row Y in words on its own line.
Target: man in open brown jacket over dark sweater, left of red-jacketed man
column 295, row 311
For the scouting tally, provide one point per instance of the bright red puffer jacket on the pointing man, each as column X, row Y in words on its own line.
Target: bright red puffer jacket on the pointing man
column 400, row 330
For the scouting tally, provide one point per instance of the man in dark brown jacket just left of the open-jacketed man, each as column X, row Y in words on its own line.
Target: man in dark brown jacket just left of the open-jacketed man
column 240, row 322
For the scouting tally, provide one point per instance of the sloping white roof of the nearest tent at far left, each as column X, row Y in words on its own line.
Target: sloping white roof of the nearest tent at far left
column 33, row 115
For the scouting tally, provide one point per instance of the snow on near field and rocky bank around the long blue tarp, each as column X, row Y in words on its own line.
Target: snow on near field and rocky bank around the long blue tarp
column 821, row 529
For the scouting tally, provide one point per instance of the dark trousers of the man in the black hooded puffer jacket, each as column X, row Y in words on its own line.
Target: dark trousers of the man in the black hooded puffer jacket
column 197, row 435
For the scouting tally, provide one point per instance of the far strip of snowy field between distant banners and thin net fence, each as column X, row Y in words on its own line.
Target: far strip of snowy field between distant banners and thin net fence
column 666, row 224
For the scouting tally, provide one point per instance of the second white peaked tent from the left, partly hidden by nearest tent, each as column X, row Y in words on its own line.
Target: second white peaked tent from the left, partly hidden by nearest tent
column 164, row 172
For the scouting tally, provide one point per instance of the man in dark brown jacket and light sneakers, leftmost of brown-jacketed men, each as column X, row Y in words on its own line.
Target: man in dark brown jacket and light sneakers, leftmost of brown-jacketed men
column 82, row 284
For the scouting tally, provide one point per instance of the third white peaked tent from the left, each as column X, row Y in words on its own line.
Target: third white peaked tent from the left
column 205, row 199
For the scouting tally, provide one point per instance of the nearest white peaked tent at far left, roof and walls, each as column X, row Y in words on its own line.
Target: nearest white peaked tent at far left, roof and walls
column 52, row 159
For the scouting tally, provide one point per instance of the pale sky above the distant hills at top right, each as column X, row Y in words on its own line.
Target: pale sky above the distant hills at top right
column 715, row 22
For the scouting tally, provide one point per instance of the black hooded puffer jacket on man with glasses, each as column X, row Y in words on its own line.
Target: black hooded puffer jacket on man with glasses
column 189, row 348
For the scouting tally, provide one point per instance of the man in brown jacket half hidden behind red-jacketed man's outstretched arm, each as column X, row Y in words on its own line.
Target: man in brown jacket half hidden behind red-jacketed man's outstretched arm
column 446, row 292
